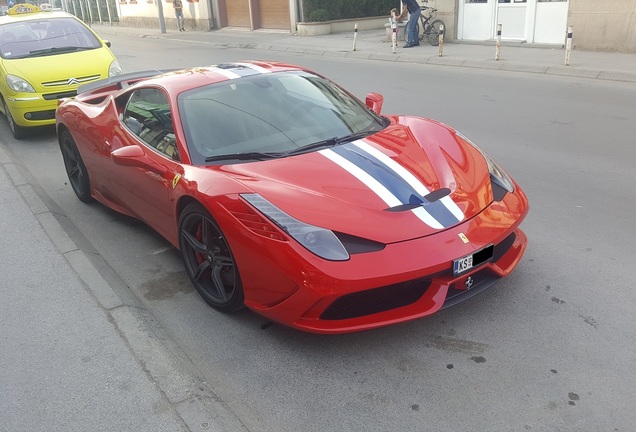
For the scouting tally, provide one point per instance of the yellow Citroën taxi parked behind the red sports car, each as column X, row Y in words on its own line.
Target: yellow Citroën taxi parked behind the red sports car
column 45, row 56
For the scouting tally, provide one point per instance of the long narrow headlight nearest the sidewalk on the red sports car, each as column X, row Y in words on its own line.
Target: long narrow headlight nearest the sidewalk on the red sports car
column 319, row 241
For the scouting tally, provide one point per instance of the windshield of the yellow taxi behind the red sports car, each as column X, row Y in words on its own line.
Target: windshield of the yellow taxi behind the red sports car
column 43, row 37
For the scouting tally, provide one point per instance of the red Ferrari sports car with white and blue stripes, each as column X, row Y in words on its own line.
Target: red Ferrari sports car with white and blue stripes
column 286, row 194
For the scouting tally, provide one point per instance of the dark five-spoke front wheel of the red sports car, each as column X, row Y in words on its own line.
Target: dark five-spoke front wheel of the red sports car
column 208, row 260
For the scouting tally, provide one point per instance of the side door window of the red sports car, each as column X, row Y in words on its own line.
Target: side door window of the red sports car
column 147, row 115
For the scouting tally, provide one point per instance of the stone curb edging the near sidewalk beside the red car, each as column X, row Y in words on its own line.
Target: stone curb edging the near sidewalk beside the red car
column 192, row 400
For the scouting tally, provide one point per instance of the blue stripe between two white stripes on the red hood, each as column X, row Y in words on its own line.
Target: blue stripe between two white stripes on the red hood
column 394, row 183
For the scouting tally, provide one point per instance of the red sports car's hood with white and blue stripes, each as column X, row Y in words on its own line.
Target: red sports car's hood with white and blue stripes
column 376, row 188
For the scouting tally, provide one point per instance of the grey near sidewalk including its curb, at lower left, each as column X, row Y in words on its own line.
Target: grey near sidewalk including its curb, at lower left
column 73, row 356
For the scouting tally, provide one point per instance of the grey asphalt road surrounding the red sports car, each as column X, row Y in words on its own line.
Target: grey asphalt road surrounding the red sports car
column 551, row 348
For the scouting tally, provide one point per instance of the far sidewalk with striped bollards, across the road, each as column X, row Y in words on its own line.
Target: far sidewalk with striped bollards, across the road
column 372, row 45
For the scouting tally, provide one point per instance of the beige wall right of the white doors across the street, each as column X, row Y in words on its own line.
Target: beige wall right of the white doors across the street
column 607, row 25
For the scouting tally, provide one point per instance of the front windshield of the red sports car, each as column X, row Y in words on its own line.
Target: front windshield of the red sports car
column 271, row 115
